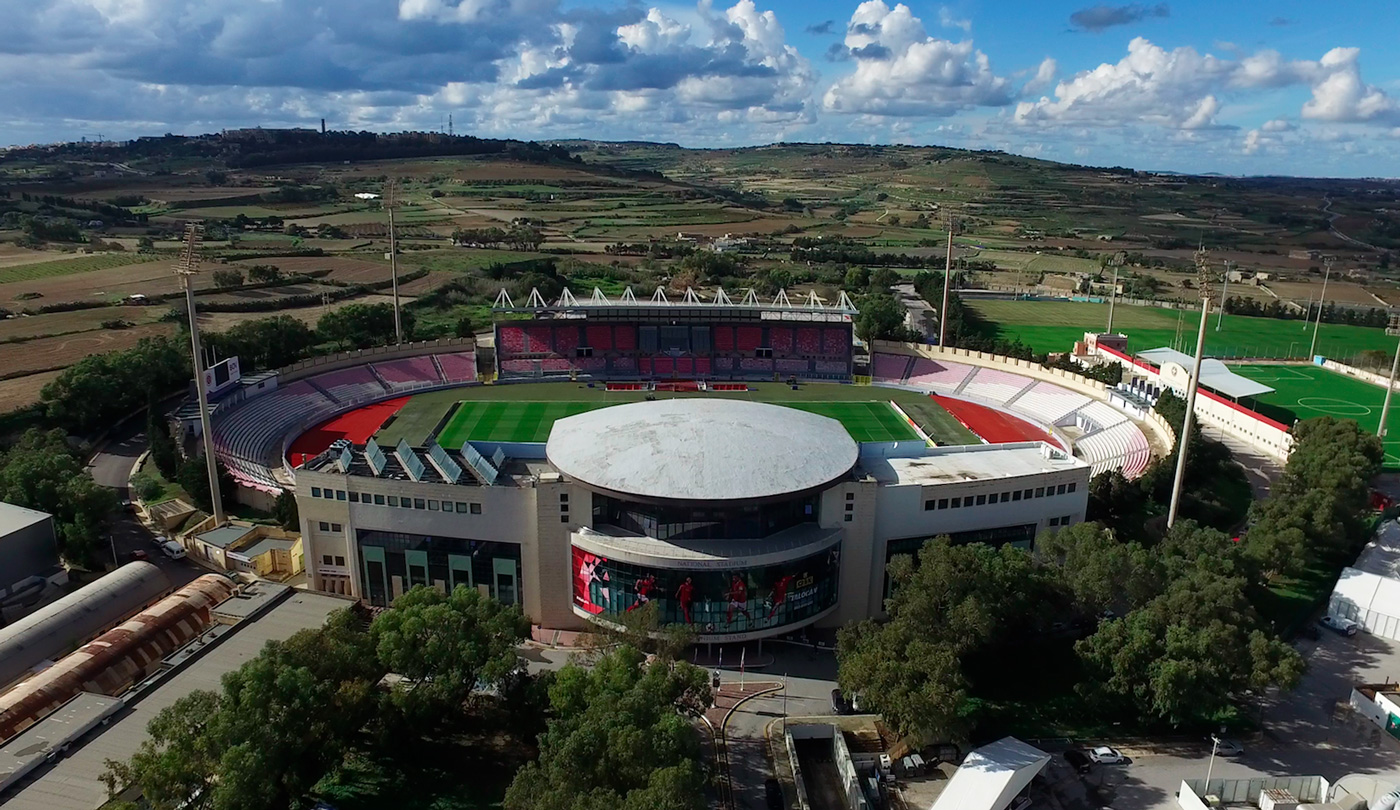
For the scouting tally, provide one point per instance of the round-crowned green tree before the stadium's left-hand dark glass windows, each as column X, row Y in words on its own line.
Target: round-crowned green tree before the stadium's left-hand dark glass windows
column 446, row 646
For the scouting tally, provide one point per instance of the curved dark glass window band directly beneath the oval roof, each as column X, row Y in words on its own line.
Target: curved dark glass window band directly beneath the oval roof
column 741, row 523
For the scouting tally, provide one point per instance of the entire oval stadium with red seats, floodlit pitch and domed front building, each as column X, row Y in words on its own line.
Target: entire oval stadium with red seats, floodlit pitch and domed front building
column 751, row 468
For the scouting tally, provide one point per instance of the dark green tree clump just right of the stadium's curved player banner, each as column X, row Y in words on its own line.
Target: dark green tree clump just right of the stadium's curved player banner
column 954, row 602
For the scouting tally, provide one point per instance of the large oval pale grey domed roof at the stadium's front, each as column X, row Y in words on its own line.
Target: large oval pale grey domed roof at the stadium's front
column 701, row 450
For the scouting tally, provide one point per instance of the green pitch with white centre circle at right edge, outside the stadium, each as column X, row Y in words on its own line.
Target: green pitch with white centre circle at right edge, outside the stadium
column 1303, row 392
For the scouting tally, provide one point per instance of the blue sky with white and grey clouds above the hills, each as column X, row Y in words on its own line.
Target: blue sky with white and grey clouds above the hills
column 1240, row 87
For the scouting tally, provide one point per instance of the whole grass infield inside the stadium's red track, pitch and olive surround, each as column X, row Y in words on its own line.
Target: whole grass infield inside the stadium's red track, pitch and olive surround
column 530, row 409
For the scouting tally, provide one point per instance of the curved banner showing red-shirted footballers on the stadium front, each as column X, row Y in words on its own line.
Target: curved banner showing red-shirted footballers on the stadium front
column 716, row 602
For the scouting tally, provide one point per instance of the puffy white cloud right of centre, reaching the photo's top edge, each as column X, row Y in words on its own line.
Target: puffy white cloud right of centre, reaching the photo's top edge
column 901, row 71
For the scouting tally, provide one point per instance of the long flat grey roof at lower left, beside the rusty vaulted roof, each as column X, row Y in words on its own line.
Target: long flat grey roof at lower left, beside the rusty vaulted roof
column 72, row 784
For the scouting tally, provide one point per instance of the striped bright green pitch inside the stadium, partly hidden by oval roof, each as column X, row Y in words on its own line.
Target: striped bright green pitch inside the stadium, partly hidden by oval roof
column 531, row 422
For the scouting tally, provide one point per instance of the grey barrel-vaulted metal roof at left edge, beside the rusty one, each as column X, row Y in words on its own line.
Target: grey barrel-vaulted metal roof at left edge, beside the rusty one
column 62, row 626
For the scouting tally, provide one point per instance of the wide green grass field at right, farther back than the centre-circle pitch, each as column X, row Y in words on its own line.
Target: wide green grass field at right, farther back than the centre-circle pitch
column 1056, row 325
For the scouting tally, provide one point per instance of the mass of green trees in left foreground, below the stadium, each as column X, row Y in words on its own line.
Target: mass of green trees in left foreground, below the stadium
column 283, row 730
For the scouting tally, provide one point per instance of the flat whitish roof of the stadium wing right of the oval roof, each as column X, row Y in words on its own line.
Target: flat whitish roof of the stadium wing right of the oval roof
column 972, row 464
